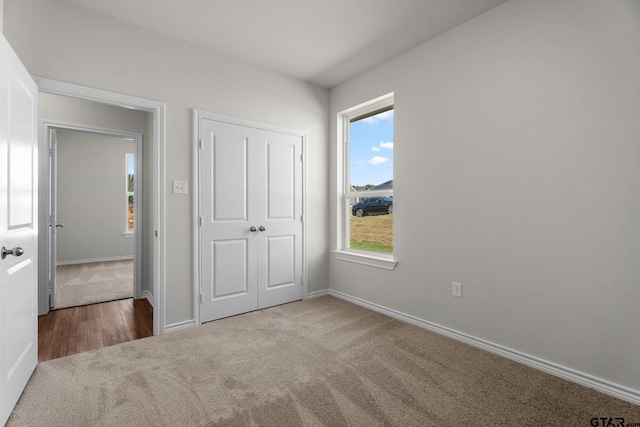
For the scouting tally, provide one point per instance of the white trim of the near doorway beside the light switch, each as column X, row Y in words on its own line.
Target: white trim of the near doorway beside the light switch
column 158, row 110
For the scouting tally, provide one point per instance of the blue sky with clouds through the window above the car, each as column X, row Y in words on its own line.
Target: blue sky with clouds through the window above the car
column 371, row 145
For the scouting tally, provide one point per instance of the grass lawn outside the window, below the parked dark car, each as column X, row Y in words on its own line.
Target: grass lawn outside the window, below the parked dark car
column 372, row 233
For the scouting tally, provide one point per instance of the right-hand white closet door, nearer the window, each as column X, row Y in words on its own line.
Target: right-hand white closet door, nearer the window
column 280, row 244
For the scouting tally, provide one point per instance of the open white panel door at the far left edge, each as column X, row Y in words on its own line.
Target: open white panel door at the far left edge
column 18, row 229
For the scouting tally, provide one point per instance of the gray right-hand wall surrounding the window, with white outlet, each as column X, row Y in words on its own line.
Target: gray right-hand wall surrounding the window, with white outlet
column 517, row 173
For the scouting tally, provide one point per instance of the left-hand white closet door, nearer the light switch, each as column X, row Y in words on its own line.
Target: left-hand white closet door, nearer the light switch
column 229, row 208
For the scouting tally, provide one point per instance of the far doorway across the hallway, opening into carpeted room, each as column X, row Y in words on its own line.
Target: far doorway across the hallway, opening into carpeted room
column 94, row 207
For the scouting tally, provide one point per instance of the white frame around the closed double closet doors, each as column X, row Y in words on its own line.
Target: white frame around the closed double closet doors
column 198, row 115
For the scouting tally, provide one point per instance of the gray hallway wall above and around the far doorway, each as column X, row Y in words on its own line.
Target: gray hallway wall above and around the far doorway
column 67, row 110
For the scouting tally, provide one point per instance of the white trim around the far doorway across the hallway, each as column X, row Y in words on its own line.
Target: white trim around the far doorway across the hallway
column 45, row 132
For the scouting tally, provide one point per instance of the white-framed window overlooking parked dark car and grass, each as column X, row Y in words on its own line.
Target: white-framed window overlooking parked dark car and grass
column 366, row 201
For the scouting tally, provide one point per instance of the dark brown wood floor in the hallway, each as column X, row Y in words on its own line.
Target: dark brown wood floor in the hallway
column 77, row 329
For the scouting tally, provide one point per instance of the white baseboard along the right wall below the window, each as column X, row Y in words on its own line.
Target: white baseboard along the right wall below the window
column 612, row 389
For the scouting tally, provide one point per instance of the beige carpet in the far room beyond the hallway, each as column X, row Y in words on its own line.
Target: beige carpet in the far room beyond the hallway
column 82, row 284
